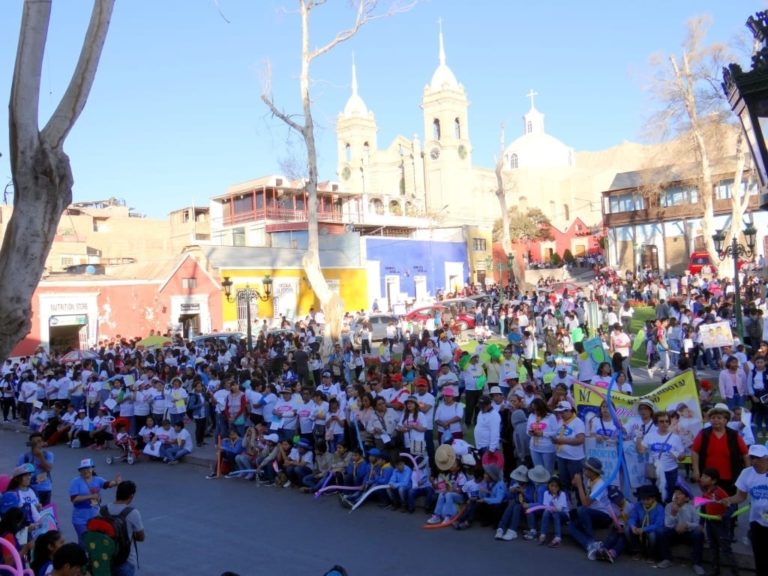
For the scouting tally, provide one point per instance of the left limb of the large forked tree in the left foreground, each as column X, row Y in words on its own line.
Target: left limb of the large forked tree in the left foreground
column 25, row 90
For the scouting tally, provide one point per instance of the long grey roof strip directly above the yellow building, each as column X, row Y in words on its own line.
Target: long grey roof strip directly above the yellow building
column 229, row 257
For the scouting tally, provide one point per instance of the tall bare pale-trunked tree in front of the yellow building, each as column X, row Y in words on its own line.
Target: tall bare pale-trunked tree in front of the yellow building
column 365, row 11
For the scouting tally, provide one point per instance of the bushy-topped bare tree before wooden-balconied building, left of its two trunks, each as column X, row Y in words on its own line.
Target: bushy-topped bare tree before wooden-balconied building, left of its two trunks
column 694, row 105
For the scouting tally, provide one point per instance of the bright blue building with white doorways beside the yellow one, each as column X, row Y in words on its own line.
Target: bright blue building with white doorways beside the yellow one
column 403, row 270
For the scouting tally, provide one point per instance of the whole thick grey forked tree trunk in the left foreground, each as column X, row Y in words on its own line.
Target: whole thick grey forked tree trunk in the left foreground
column 42, row 176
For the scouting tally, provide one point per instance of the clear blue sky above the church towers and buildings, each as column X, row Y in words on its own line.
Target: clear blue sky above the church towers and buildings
column 175, row 116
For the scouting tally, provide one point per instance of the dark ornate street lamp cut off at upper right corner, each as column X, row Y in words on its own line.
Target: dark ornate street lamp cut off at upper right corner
column 747, row 94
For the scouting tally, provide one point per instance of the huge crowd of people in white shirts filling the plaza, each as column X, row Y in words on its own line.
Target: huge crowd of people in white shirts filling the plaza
column 490, row 434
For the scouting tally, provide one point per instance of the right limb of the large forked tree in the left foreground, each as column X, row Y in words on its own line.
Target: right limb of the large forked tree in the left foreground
column 73, row 102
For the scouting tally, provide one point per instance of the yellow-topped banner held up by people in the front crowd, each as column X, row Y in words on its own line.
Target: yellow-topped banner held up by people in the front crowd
column 678, row 396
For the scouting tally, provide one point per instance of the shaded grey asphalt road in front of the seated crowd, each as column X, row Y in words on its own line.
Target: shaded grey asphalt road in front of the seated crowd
column 203, row 527
